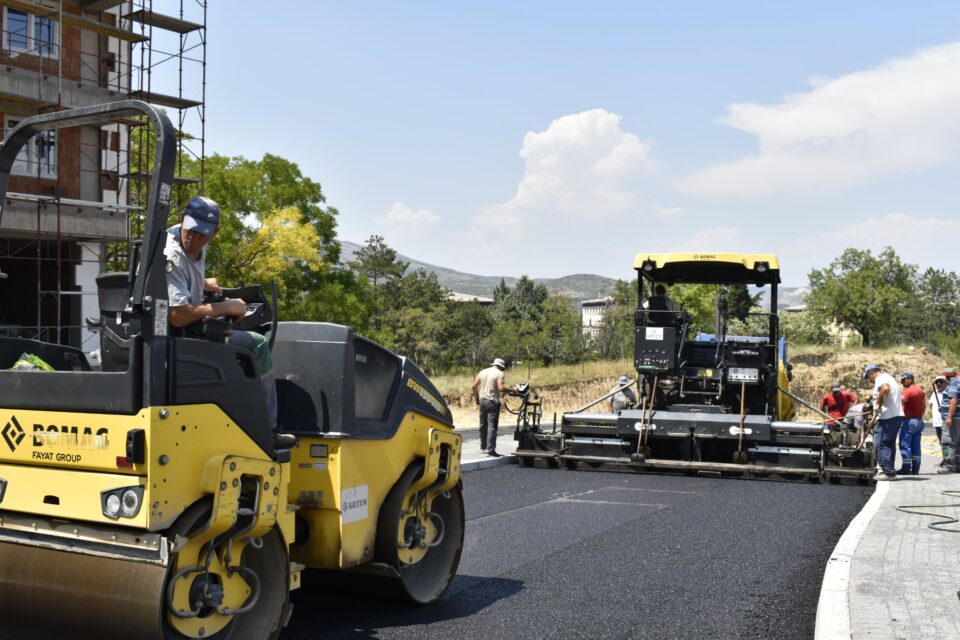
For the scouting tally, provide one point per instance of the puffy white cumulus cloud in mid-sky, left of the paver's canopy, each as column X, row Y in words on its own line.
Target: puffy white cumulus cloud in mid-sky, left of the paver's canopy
column 583, row 164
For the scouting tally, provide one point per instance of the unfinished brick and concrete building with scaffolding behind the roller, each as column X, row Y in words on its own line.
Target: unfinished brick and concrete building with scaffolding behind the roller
column 73, row 194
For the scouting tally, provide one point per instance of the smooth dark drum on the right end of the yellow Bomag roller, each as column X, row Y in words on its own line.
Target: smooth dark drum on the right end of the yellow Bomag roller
column 425, row 581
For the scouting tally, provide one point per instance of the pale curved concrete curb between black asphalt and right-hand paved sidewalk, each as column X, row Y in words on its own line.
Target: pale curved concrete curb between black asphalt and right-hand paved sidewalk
column 833, row 608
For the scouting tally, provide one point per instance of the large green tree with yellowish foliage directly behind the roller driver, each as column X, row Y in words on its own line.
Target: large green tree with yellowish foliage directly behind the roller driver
column 250, row 193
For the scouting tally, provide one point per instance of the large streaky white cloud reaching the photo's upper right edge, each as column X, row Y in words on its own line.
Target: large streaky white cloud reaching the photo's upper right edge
column 894, row 119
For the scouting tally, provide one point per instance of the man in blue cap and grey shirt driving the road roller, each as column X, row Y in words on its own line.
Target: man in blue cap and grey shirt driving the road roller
column 186, row 253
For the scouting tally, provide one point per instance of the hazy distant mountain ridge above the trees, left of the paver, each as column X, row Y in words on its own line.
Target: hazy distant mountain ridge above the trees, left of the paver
column 580, row 286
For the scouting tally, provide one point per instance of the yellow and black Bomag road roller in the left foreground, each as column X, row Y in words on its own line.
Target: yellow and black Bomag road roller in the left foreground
column 146, row 497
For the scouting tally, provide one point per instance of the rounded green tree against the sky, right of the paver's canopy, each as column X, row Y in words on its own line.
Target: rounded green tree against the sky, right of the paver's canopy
column 866, row 292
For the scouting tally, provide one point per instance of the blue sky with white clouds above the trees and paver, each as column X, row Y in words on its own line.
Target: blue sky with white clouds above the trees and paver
column 556, row 138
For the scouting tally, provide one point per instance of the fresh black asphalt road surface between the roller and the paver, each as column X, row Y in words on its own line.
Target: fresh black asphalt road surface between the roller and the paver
column 593, row 554
